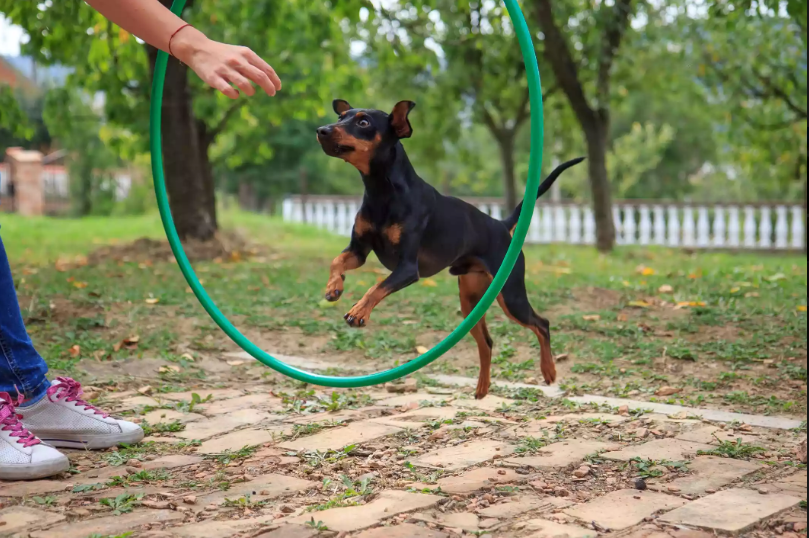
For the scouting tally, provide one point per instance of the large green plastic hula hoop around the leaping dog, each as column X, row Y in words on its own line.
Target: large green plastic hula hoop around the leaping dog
column 534, row 170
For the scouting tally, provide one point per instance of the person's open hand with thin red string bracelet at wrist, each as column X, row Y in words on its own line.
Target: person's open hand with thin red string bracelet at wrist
column 220, row 65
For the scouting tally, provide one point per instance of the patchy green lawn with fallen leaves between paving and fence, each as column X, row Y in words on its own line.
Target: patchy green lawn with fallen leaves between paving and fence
column 739, row 342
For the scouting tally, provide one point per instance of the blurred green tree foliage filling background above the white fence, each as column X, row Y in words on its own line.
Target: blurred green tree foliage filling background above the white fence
column 677, row 100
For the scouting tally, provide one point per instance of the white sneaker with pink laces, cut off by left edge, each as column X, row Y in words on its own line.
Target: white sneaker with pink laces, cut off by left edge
column 22, row 455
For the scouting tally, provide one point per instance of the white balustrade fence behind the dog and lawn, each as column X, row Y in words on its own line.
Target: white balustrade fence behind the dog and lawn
column 717, row 226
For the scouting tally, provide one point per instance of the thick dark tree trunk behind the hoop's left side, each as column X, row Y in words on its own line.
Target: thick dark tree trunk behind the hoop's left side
column 189, row 179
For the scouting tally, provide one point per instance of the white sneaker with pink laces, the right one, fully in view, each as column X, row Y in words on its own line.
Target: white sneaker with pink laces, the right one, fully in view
column 63, row 419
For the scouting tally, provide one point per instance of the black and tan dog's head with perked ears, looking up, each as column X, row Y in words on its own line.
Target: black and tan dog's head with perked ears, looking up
column 361, row 134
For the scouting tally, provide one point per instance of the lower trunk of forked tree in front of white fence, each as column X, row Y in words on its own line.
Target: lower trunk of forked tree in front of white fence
column 596, row 134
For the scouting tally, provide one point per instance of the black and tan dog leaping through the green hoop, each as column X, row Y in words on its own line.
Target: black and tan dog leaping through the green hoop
column 416, row 232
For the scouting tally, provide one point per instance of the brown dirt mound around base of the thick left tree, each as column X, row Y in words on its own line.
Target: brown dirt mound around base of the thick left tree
column 225, row 246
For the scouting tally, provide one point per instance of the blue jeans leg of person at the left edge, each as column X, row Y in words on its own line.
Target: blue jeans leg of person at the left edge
column 22, row 369
